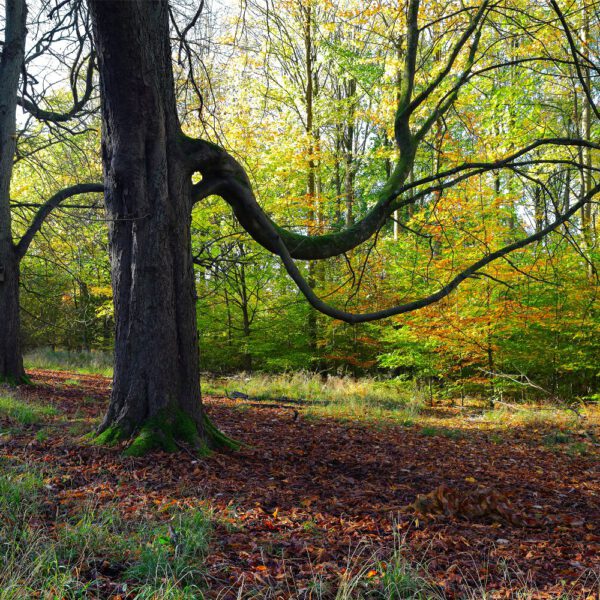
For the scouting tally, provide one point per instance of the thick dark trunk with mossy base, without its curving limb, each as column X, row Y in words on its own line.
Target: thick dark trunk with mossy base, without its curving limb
column 156, row 387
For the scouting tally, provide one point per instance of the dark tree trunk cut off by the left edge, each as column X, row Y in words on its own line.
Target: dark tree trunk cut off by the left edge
column 11, row 361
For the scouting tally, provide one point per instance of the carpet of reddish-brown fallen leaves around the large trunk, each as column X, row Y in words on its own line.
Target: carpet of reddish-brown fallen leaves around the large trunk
column 299, row 500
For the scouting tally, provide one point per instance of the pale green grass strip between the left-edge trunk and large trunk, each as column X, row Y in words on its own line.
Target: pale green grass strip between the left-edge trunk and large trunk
column 94, row 363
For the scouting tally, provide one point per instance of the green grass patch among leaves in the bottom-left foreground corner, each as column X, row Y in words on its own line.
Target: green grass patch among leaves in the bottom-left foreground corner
column 55, row 556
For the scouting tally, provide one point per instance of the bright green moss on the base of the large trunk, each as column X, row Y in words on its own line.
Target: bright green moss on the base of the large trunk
column 168, row 431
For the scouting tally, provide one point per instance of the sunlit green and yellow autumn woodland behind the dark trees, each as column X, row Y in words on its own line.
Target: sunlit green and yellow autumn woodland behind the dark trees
column 305, row 96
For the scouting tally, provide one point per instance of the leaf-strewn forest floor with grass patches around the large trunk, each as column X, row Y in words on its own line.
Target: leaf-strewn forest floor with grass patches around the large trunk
column 453, row 505
